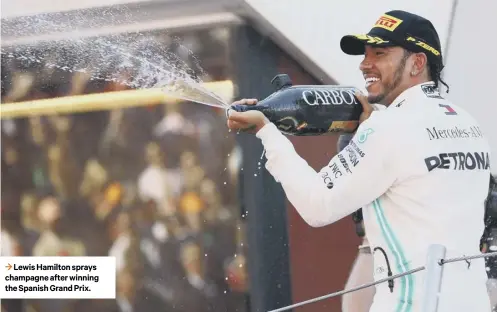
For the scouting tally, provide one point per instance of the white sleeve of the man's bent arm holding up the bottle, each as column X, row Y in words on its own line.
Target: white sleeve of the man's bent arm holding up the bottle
column 355, row 177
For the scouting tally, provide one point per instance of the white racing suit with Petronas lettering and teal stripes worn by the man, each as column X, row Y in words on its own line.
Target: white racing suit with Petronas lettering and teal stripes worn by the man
column 420, row 170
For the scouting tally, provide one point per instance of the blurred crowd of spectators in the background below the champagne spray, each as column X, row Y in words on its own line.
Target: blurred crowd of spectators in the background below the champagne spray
column 155, row 187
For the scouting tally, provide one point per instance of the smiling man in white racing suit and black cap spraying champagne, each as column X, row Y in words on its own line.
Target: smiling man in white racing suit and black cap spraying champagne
column 421, row 175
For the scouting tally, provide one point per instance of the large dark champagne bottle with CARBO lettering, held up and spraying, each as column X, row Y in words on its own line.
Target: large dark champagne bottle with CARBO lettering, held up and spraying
column 305, row 110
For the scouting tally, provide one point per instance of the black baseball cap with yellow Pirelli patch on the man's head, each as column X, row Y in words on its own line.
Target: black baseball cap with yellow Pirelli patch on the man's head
column 398, row 28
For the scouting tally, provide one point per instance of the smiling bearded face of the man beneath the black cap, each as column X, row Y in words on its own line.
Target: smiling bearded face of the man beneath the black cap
column 385, row 72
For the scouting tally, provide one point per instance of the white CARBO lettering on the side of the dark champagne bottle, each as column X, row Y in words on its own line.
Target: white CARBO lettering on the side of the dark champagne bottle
column 330, row 97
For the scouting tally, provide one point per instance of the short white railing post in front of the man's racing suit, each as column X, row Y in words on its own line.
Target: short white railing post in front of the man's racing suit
column 433, row 277
